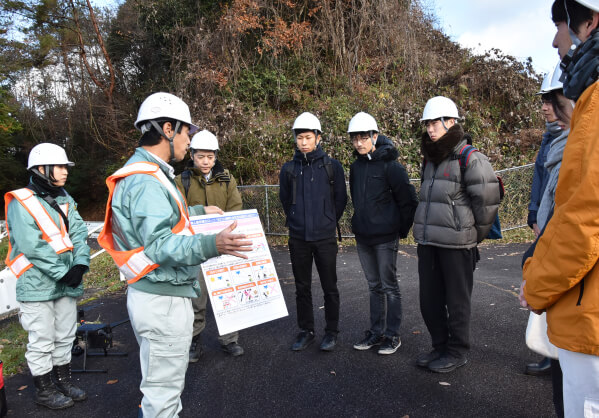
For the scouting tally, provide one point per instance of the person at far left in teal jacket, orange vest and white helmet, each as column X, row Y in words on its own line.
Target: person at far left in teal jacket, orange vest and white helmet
column 49, row 255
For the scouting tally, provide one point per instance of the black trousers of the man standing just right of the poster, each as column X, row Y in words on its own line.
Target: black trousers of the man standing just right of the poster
column 324, row 254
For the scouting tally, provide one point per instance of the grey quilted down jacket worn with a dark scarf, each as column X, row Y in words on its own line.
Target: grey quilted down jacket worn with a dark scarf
column 452, row 213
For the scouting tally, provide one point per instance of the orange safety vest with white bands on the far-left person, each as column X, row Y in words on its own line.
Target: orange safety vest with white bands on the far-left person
column 58, row 238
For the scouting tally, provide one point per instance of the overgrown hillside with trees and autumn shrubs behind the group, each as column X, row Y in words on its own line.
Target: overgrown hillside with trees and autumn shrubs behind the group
column 75, row 75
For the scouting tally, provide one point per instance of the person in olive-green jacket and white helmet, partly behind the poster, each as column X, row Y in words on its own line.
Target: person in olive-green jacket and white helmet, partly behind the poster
column 206, row 182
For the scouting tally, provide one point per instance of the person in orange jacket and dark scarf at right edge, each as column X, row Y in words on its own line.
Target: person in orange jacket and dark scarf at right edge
column 561, row 277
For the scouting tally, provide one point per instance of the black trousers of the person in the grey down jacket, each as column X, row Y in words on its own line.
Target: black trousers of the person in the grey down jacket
column 446, row 277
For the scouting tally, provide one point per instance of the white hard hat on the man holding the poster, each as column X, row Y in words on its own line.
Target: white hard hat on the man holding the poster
column 163, row 106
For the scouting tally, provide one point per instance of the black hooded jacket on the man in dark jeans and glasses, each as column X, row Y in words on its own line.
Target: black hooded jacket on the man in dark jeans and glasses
column 384, row 200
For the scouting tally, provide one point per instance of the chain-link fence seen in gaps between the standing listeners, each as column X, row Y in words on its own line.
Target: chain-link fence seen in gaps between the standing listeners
column 512, row 213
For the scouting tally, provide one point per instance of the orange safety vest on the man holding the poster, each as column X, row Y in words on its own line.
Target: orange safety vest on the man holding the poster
column 134, row 264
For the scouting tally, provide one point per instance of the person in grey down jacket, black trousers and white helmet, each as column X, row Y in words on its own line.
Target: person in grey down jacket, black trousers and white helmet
column 459, row 198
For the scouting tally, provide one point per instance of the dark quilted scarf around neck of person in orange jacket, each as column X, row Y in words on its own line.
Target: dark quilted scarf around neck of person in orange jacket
column 583, row 70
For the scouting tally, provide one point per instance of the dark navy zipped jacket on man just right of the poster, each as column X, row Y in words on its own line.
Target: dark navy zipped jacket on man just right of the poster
column 313, row 217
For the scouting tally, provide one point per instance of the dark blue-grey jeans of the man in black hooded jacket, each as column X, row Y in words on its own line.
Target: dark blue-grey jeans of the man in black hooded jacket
column 379, row 263
